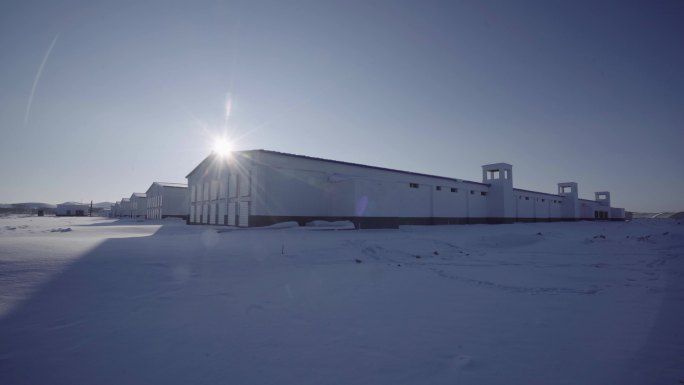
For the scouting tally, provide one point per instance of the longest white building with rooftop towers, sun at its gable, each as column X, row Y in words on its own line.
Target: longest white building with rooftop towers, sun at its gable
column 260, row 187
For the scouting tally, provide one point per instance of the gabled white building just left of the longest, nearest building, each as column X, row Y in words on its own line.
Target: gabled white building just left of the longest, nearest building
column 166, row 200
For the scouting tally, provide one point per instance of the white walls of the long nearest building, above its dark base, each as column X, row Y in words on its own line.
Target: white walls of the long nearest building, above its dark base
column 277, row 185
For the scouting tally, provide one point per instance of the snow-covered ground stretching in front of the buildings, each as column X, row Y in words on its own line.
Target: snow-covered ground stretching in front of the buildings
column 98, row 301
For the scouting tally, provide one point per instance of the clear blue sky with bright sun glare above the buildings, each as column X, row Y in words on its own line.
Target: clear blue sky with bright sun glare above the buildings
column 131, row 92
